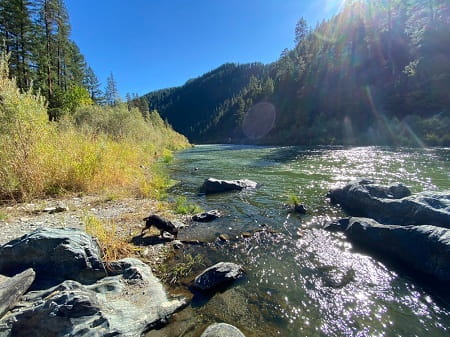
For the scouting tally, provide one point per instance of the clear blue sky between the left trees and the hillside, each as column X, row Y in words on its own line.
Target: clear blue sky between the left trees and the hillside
column 154, row 44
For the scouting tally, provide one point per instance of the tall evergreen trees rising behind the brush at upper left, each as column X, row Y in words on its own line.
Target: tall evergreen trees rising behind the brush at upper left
column 35, row 33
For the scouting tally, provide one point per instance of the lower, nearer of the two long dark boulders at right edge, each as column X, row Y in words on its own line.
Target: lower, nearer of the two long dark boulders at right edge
column 425, row 248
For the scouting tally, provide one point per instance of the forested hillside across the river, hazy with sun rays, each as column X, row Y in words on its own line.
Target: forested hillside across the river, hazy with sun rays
column 376, row 73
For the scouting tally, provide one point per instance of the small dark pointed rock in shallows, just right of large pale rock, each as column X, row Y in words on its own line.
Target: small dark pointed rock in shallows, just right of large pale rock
column 218, row 275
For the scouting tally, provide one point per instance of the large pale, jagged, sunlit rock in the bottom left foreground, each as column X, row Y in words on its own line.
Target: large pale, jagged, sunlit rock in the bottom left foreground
column 127, row 304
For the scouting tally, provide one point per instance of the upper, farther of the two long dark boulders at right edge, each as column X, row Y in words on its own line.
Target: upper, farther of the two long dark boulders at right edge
column 393, row 204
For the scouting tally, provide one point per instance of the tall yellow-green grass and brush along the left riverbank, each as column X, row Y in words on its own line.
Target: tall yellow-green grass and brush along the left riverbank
column 97, row 149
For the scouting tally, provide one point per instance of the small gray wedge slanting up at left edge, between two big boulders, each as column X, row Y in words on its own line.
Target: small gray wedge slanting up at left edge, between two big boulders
column 11, row 289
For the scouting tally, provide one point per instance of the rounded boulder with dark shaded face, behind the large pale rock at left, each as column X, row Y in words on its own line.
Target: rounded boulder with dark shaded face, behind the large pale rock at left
column 55, row 255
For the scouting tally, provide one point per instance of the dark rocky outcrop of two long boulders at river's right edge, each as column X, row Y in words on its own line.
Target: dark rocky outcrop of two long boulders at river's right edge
column 405, row 228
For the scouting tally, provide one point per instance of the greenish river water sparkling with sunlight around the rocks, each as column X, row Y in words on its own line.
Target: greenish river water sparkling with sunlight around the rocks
column 302, row 280
